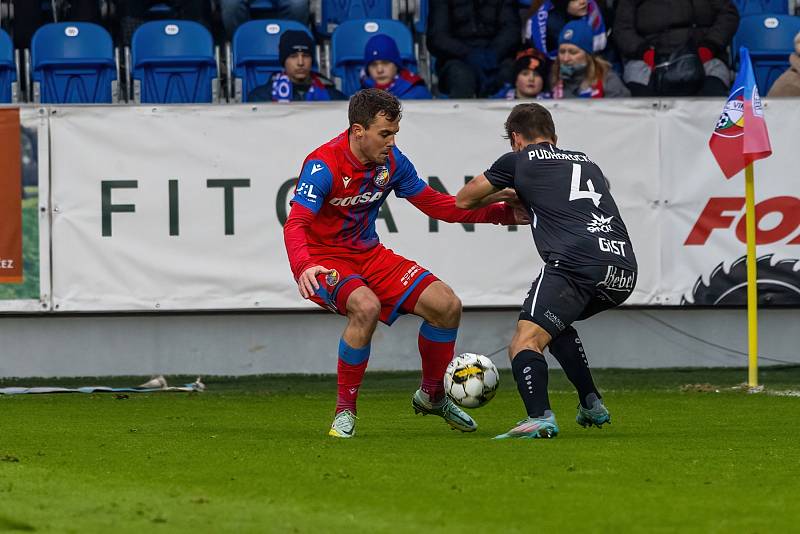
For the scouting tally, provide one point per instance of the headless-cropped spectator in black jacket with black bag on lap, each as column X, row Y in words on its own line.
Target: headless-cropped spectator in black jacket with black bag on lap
column 654, row 32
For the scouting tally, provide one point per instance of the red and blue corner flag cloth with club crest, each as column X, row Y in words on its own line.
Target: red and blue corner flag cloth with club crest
column 741, row 137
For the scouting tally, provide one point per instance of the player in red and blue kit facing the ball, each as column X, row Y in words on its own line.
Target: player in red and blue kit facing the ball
column 340, row 264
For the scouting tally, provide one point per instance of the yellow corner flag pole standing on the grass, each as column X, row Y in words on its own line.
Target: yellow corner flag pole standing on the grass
column 752, row 278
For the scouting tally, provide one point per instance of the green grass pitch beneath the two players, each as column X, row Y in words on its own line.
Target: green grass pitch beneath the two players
column 252, row 455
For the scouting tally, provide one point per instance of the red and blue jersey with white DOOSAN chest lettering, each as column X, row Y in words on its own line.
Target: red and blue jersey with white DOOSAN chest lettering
column 346, row 195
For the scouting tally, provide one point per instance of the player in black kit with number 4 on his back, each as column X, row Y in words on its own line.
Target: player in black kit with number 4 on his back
column 589, row 262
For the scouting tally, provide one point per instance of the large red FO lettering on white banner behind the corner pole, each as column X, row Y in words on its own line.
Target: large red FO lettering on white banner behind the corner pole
column 720, row 213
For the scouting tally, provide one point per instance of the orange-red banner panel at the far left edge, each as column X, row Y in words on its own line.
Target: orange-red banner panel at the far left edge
column 10, row 198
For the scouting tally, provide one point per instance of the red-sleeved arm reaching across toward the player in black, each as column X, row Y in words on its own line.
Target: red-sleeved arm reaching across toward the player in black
column 443, row 207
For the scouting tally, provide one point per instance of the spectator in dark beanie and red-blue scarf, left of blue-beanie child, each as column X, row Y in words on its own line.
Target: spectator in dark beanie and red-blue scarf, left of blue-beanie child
column 297, row 82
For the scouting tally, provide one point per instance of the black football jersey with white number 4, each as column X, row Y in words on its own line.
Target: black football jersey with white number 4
column 574, row 219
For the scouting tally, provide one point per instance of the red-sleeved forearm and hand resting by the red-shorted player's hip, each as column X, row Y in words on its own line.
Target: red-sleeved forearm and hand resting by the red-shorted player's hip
column 305, row 271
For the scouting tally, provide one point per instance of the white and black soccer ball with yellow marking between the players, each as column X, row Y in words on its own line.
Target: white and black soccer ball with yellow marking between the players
column 471, row 380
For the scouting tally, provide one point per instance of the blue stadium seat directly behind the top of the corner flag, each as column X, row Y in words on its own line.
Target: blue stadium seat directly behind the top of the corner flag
column 769, row 38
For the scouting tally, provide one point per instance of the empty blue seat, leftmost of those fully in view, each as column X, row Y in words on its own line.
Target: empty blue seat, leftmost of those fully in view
column 73, row 63
